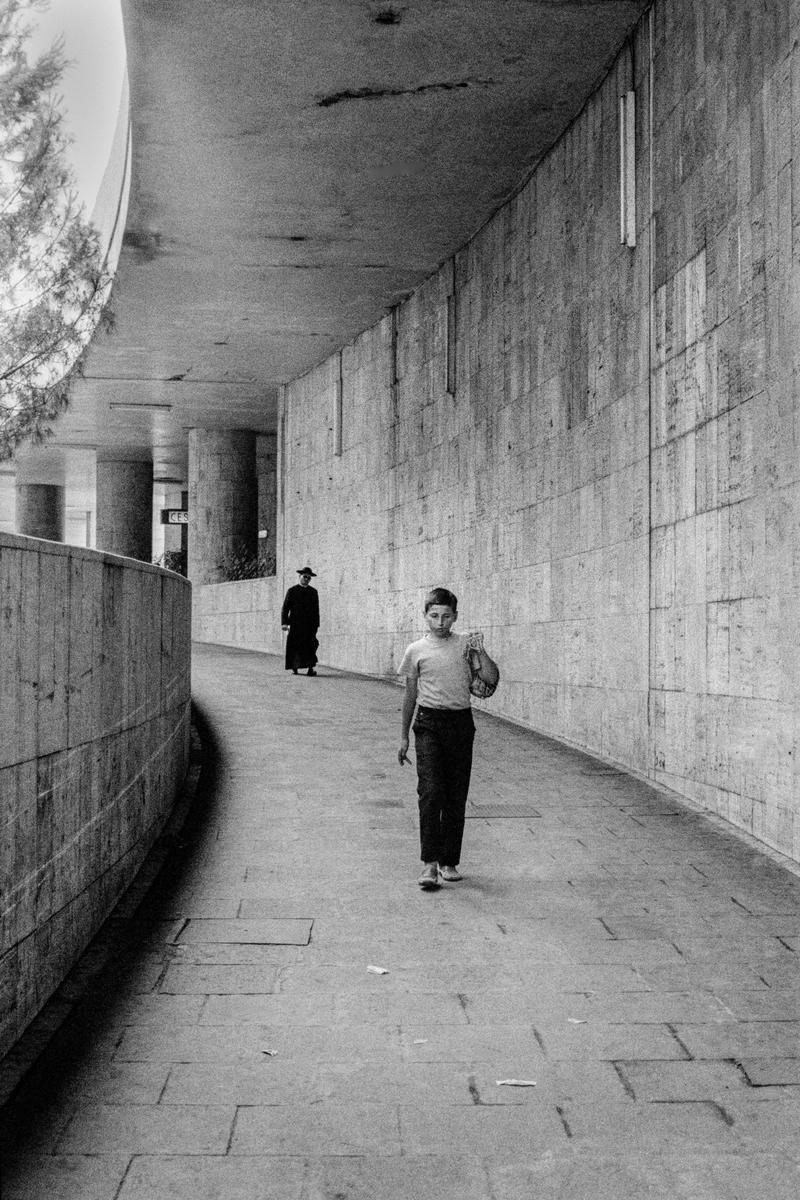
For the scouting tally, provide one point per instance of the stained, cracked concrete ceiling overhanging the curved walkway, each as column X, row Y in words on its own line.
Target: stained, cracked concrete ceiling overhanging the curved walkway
column 299, row 167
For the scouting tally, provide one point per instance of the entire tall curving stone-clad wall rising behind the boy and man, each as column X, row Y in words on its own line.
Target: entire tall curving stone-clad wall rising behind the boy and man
column 613, row 484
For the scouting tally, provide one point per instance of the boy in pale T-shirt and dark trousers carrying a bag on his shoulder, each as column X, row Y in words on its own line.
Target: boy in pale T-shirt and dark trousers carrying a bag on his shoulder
column 438, row 686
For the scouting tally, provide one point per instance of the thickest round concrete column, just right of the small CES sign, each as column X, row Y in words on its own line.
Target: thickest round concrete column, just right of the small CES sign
column 224, row 502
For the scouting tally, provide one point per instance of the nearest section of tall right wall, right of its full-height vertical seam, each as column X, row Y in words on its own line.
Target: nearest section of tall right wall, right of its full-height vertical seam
column 725, row 465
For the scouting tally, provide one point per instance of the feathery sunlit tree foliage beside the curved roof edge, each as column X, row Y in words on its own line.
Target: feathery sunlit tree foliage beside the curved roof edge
column 53, row 285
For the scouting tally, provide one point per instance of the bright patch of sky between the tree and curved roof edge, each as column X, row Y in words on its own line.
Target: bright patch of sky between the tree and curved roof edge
column 92, row 86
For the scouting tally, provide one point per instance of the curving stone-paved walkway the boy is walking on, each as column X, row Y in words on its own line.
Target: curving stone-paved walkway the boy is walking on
column 617, row 951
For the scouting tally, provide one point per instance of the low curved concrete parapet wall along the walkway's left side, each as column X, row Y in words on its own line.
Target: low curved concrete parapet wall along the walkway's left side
column 94, row 742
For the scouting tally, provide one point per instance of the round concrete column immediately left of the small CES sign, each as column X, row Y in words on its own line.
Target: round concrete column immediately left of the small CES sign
column 125, row 509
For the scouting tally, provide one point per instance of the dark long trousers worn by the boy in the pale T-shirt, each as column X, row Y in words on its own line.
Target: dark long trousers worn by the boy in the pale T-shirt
column 444, row 760
